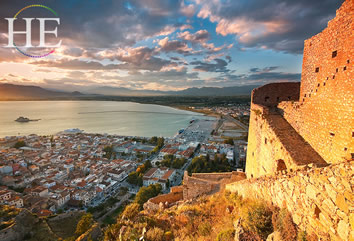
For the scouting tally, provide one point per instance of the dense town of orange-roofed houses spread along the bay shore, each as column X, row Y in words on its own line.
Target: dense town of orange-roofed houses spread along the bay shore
column 73, row 170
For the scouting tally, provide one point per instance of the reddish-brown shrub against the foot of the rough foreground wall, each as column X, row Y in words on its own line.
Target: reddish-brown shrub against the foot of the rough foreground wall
column 283, row 222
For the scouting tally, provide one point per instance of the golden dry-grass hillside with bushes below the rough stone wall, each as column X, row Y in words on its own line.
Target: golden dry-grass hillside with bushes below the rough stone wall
column 221, row 217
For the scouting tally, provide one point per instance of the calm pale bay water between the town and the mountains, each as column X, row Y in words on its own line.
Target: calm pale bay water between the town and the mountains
column 103, row 117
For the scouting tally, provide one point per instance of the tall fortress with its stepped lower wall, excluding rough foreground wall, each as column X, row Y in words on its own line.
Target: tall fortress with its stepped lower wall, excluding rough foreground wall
column 294, row 124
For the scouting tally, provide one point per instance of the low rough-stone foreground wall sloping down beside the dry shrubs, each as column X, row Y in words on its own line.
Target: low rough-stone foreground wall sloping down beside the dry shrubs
column 320, row 199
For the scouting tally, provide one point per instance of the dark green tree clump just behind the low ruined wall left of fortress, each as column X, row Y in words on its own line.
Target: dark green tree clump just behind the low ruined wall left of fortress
column 203, row 164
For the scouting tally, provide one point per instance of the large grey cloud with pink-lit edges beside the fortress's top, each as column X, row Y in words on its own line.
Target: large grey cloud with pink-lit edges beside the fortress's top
column 281, row 25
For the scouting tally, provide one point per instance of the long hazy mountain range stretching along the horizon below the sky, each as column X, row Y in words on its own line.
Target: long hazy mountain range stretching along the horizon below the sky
column 23, row 92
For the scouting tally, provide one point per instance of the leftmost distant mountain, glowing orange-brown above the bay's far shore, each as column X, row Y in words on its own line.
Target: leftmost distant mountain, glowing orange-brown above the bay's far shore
column 22, row 92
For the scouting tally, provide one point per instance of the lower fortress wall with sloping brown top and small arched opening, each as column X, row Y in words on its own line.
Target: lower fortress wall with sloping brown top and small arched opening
column 273, row 144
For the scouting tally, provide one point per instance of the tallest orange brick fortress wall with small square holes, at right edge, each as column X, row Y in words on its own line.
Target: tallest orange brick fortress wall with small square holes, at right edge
column 323, row 116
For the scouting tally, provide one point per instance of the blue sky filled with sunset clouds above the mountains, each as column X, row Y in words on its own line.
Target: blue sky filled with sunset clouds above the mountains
column 162, row 44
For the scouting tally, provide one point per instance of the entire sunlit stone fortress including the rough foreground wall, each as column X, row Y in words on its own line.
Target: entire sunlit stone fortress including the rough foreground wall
column 301, row 138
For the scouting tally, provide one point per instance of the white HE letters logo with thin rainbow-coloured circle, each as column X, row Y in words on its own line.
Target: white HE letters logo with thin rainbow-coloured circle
column 28, row 32
